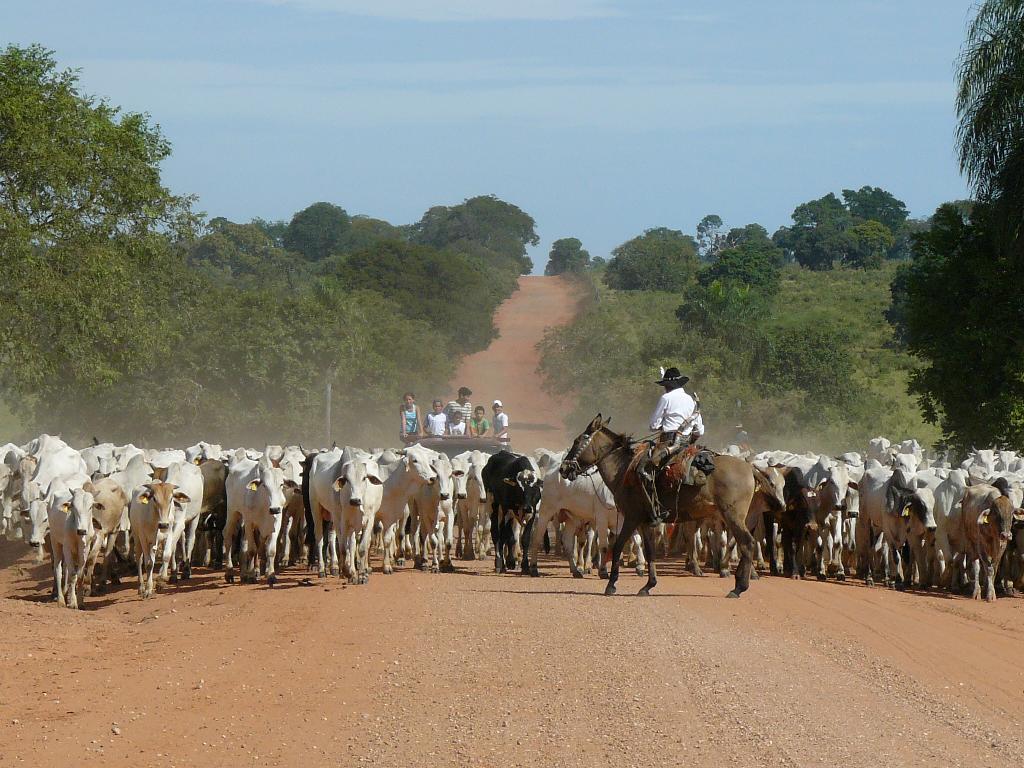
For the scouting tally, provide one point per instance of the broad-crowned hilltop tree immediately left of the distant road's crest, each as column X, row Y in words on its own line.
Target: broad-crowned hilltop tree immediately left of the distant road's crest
column 500, row 229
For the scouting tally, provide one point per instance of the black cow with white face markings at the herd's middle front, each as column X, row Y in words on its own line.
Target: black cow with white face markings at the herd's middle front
column 515, row 485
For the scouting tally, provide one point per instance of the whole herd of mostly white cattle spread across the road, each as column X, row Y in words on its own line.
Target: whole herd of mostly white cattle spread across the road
column 892, row 515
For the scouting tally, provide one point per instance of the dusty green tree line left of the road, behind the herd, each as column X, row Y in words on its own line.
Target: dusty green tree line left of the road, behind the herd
column 127, row 315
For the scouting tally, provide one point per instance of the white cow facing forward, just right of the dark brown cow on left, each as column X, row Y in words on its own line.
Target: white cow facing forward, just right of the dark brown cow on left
column 258, row 495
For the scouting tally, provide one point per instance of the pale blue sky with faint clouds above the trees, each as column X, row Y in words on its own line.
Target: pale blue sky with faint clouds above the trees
column 601, row 118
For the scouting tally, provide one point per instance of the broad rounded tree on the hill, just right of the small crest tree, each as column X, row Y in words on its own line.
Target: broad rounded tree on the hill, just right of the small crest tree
column 661, row 260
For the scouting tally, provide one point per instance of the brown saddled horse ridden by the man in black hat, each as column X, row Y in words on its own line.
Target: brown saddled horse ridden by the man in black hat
column 728, row 493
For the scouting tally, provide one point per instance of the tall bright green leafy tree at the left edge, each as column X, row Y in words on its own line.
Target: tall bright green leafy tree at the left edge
column 90, row 276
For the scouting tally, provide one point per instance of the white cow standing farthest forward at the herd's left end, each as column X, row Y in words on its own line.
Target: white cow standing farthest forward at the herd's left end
column 72, row 535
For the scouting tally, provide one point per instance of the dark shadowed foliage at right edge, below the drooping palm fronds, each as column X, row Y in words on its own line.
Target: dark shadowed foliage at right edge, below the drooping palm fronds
column 956, row 307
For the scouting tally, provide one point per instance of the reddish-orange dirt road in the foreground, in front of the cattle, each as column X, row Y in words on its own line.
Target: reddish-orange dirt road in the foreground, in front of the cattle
column 473, row 669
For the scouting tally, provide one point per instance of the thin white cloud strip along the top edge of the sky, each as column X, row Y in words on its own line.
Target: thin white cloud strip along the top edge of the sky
column 461, row 11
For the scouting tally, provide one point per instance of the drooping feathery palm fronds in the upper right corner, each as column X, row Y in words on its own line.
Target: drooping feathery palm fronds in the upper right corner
column 991, row 102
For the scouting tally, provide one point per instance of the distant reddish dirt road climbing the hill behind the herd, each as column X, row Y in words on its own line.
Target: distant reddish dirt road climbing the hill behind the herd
column 506, row 370
